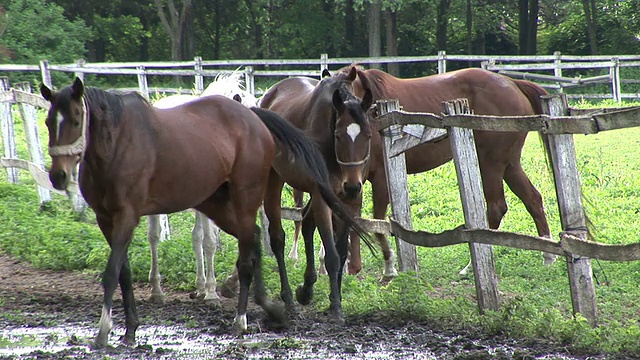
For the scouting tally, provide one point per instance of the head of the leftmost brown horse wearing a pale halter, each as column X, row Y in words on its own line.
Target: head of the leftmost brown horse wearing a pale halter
column 67, row 122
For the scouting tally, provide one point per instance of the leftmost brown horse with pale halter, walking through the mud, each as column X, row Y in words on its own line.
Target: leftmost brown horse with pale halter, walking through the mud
column 212, row 154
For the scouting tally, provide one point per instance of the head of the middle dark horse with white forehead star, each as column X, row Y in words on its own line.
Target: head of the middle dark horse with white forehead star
column 352, row 135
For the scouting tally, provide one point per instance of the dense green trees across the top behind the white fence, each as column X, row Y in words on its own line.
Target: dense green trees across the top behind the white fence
column 63, row 31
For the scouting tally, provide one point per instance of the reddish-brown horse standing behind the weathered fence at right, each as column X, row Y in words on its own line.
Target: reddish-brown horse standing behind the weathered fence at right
column 498, row 152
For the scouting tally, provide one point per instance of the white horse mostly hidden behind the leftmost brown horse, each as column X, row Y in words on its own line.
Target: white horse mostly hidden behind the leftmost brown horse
column 205, row 235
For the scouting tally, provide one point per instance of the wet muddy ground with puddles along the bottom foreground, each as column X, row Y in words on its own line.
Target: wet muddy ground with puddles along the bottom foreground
column 53, row 315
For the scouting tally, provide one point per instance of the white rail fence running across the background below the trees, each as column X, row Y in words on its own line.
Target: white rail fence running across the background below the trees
column 531, row 67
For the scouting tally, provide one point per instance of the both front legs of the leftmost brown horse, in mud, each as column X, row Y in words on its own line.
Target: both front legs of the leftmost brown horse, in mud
column 118, row 231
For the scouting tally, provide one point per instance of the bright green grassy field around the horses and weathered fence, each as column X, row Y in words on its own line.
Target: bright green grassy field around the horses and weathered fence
column 535, row 299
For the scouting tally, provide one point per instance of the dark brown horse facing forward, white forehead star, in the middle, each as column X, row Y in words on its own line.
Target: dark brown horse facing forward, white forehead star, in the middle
column 337, row 123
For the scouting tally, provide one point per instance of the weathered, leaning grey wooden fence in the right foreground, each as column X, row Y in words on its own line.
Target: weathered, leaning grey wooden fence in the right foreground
column 558, row 123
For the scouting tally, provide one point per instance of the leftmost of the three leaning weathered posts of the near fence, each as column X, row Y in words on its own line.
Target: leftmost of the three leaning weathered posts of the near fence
column 396, row 170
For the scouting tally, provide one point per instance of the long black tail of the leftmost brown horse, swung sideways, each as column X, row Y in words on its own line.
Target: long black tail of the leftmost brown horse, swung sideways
column 304, row 149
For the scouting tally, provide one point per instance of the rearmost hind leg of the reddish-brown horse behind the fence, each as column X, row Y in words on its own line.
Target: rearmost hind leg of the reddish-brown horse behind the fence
column 519, row 183
